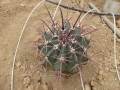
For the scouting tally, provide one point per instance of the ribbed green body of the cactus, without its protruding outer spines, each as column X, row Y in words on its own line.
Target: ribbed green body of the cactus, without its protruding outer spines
column 64, row 48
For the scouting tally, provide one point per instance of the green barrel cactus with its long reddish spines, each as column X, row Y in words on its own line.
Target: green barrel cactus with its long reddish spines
column 64, row 47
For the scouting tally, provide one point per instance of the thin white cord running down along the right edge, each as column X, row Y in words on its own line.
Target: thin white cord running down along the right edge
column 115, row 59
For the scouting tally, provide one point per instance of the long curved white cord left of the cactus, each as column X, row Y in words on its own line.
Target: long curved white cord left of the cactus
column 12, row 76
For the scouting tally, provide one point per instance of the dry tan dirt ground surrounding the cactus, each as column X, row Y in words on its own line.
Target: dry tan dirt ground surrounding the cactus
column 13, row 14
